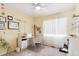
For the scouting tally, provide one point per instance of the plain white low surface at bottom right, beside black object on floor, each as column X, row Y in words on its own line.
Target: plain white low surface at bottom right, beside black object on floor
column 74, row 46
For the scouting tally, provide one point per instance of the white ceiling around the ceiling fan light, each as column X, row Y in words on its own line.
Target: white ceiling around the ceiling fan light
column 46, row 8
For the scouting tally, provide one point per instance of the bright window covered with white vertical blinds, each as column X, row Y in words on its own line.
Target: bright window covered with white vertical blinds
column 55, row 27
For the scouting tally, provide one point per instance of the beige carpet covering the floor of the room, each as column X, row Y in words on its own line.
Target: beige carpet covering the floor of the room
column 38, row 51
